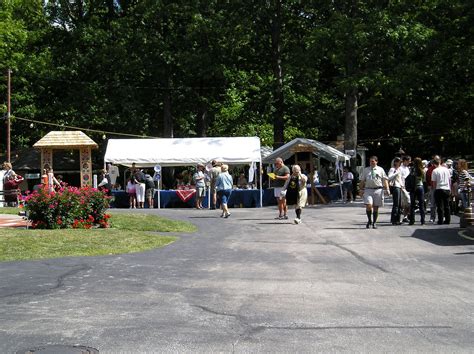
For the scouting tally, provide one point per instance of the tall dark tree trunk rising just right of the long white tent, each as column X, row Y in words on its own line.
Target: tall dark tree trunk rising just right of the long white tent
column 278, row 120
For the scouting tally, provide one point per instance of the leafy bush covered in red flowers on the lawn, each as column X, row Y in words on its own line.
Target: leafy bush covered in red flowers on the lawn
column 69, row 207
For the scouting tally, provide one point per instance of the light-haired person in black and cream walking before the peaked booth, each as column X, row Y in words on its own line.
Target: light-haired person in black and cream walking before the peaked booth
column 295, row 191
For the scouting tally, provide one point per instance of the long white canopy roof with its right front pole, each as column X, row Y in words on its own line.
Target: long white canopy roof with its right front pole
column 184, row 151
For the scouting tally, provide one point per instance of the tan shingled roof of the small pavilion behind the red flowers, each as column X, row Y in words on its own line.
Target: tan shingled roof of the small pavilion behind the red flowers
column 65, row 140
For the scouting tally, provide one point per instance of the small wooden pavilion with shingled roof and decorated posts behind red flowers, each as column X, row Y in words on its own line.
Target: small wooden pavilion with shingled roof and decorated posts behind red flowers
column 64, row 140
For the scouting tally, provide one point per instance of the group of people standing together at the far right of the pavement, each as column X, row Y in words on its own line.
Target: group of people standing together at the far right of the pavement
column 415, row 184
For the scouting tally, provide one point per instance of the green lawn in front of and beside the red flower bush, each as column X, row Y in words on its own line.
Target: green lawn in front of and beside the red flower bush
column 129, row 233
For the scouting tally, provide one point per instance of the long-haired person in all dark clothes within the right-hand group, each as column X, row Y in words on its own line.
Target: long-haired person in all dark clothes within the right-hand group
column 417, row 193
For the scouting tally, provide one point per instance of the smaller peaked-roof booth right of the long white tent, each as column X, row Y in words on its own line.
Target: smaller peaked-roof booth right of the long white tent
column 301, row 151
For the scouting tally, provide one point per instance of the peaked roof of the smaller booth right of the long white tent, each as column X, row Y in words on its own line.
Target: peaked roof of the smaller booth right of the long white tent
column 322, row 150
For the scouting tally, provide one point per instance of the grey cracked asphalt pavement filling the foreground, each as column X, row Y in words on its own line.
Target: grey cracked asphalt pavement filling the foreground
column 254, row 284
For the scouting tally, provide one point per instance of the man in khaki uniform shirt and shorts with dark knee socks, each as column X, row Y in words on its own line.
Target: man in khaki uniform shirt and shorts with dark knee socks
column 373, row 182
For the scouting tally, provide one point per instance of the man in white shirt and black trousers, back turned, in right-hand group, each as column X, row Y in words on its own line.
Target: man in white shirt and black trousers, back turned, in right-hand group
column 441, row 184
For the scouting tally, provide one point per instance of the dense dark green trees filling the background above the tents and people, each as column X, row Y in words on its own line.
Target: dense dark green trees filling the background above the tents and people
column 276, row 69
